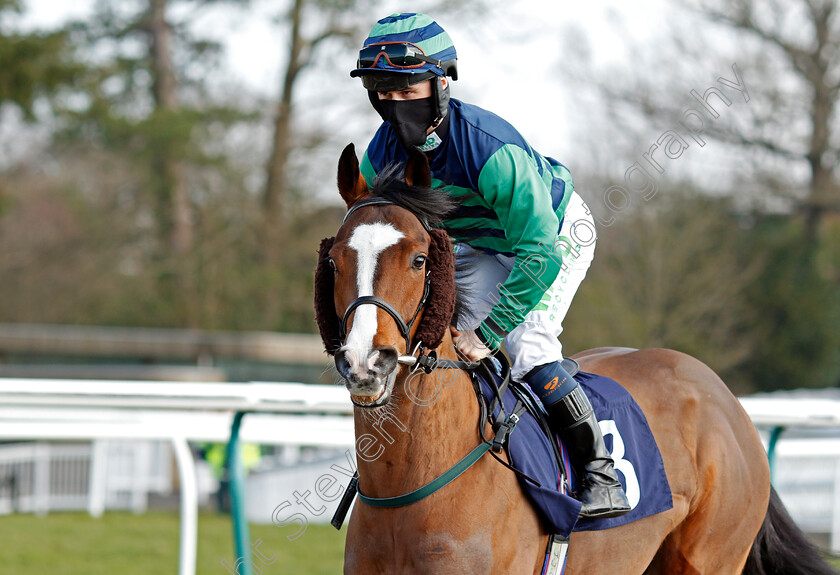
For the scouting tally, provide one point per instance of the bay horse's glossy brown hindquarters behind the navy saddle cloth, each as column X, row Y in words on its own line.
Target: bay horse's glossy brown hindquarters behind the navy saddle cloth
column 715, row 462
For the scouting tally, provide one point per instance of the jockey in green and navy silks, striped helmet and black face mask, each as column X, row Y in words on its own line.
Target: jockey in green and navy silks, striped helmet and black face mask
column 523, row 238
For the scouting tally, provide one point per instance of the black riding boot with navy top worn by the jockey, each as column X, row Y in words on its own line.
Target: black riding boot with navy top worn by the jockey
column 573, row 418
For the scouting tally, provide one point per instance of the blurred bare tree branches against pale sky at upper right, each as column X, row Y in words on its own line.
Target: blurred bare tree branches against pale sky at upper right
column 787, row 139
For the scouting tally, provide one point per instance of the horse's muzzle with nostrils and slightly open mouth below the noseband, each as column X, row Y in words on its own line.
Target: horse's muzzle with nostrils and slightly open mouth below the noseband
column 368, row 379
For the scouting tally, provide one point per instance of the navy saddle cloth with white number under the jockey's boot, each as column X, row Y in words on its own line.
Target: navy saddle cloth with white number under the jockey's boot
column 627, row 436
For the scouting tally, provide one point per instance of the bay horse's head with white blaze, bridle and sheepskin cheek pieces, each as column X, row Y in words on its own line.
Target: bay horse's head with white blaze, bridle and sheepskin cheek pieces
column 384, row 283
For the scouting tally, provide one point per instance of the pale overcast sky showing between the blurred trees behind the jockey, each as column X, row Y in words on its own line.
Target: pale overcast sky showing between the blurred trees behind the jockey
column 511, row 60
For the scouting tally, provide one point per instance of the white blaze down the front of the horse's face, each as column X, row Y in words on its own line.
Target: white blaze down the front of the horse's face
column 369, row 241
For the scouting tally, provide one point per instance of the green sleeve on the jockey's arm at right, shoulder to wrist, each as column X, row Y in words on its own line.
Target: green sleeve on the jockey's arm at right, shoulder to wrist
column 520, row 195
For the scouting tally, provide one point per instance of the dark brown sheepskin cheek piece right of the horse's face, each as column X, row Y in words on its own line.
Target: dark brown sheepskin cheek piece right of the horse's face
column 437, row 314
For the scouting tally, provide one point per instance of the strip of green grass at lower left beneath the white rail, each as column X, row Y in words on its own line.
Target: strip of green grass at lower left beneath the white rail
column 126, row 544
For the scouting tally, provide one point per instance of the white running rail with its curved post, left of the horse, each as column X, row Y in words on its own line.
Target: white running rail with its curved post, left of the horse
column 294, row 414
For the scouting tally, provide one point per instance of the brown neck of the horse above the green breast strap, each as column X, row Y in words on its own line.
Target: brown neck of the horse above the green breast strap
column 430, row 423
